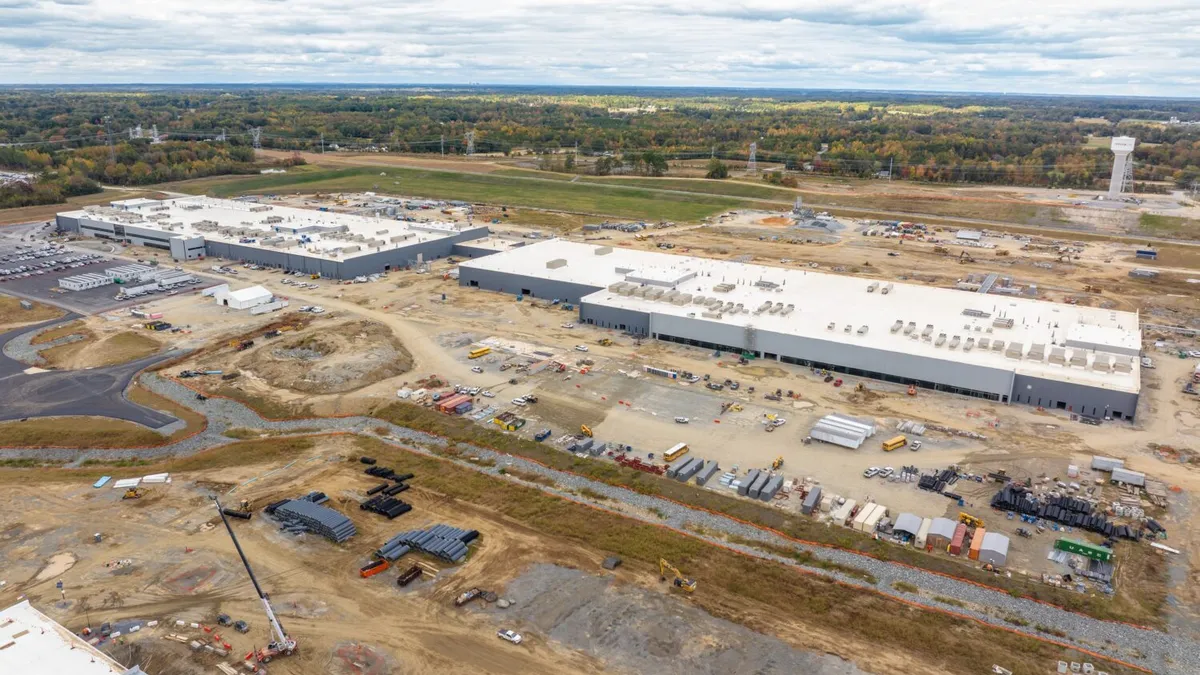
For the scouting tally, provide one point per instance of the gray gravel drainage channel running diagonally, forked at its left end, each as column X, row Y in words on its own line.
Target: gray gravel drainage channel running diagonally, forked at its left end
column 1160, row 652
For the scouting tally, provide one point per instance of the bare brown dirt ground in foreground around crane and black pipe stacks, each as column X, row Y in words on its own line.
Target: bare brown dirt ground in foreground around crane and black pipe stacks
column 167, row 558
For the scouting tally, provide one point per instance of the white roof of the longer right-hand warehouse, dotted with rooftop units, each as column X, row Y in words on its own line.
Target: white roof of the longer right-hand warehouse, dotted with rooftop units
column 849, row 309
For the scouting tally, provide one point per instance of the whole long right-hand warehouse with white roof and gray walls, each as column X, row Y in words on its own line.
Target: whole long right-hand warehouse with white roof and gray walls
column 1003, row 349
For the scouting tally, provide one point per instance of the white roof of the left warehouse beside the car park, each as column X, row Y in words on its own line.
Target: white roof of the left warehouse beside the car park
column 328, row 235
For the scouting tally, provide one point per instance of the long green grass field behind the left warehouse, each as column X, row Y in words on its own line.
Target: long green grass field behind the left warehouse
column 620, row 201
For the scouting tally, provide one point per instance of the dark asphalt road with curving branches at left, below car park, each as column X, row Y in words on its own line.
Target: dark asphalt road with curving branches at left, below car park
column 57, row 393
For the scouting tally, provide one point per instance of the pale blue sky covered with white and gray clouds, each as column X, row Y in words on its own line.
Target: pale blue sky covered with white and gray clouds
column 1145, row 47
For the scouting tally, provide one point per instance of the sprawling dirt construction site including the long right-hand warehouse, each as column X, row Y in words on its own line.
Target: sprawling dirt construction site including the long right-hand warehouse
column 985, row 438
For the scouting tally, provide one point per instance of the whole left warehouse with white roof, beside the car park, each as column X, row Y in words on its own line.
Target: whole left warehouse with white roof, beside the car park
column 332, row 244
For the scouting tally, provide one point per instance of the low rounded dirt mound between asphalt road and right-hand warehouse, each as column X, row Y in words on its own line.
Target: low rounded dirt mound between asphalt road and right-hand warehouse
column 332, row 361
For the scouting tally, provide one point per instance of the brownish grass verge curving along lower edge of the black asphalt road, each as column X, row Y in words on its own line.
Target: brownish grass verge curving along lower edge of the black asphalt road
column 98, row 432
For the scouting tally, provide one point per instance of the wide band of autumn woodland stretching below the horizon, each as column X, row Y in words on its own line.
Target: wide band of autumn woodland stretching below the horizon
column 945, row 139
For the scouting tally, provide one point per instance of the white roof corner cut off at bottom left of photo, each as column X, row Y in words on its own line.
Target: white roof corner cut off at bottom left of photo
column 35, row 644
